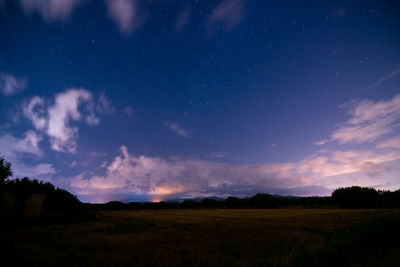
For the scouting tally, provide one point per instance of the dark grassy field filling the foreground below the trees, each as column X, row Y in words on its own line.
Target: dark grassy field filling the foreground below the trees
column 210, row 237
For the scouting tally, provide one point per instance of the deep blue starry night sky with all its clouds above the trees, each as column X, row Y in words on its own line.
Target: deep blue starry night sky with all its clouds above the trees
column 149, row 100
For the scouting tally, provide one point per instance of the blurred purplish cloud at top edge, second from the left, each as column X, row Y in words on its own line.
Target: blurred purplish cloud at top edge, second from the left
column 126, row 13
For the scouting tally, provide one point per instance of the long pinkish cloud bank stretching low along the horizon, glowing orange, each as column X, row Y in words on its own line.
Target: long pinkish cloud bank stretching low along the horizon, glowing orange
column 153, row 177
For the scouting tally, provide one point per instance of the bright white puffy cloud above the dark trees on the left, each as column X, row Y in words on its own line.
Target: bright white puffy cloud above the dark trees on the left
column 54, row 120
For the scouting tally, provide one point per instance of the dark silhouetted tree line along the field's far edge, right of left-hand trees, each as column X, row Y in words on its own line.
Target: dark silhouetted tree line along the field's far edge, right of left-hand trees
column 355, row 197
